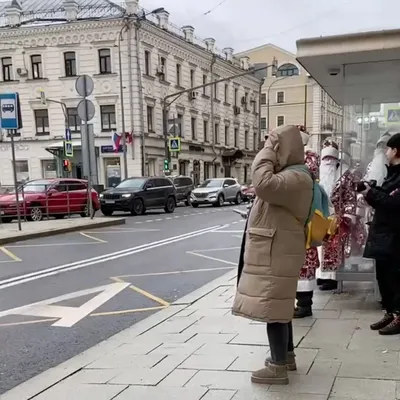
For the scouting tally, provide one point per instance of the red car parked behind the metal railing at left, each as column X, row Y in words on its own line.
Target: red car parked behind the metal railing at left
column 48, row 197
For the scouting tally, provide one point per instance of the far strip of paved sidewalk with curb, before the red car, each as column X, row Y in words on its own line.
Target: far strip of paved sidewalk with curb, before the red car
column 9, row 233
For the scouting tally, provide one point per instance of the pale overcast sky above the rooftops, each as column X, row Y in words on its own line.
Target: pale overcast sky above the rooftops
column 243, row 24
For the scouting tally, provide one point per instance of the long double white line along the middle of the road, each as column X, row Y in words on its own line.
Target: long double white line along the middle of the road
column 18, row 280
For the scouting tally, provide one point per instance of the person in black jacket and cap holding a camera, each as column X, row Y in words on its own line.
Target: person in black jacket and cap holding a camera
column 384, row 239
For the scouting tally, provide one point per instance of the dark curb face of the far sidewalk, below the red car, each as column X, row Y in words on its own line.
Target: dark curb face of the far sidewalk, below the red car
column 61, row 230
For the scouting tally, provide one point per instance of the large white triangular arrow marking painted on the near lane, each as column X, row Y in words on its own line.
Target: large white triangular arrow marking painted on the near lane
column 69, row 316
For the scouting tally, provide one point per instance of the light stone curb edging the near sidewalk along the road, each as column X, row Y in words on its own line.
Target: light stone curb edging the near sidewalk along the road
column 47, row 379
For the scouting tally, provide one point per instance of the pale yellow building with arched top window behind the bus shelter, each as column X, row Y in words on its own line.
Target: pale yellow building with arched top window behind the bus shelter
column 293, row 97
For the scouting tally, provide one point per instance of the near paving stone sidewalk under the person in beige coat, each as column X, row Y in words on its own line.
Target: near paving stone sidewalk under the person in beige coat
column 196, row 350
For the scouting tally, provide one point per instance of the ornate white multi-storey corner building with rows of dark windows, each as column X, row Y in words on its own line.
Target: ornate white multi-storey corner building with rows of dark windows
column 219, row 133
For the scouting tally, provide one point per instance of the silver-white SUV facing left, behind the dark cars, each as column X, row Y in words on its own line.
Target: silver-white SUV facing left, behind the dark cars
column 216, row 192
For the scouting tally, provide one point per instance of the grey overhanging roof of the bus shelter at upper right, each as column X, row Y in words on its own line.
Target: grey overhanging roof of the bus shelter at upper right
column 356, row 67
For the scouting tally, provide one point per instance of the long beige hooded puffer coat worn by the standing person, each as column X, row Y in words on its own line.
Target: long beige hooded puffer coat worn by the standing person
column 275, row 238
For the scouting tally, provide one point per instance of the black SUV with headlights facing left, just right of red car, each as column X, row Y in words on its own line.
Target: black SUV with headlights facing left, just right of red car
column 136, row 195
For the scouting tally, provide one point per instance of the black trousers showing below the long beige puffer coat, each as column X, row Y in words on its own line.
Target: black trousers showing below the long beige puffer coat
column 280, row 337
